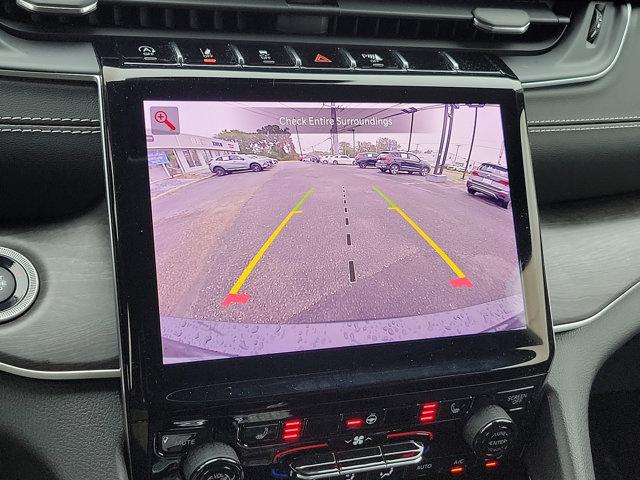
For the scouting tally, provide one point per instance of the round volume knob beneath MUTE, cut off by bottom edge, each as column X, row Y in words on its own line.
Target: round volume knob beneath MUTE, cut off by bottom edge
column 212, row 461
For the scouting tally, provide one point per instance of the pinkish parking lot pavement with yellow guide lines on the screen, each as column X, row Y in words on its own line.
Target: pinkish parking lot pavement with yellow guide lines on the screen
column 345, row 253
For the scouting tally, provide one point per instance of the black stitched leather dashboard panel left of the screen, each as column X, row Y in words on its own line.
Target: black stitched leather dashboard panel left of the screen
column 51, row 156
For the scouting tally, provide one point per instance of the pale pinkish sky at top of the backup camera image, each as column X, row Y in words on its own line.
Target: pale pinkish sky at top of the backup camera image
column 210, row 118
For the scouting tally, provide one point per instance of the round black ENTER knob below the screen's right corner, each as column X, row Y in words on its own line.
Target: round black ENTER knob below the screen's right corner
column 490, row 432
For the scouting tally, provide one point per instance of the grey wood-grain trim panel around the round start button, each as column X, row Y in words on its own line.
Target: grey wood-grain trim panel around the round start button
column 72, row 324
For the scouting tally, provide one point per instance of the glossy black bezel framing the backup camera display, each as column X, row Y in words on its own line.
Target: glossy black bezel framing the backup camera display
column 149, row 379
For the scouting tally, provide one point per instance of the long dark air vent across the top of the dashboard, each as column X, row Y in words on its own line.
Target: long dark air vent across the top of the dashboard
column 449, row 23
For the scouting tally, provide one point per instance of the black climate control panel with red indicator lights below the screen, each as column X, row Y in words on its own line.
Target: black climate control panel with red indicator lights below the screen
column 470, row 432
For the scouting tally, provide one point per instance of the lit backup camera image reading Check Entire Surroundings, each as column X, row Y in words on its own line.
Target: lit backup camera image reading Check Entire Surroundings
column 285, row 227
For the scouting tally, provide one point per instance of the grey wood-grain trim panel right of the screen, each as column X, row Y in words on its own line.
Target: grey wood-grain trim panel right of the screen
column 591, row 253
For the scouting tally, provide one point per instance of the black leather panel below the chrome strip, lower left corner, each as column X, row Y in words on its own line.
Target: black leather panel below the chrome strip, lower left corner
column 61, row 430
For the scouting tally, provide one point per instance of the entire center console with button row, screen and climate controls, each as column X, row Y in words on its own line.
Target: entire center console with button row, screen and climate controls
column 328, row 262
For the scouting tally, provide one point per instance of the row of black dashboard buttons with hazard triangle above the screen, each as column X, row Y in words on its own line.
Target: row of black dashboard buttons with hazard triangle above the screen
column 215, row 54
